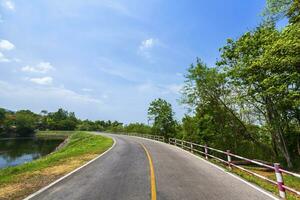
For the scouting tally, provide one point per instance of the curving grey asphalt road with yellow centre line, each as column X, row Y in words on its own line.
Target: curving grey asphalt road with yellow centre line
column 123, row 173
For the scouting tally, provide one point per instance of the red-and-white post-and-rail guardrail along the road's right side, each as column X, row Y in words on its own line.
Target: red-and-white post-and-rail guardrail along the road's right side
column 204, row 150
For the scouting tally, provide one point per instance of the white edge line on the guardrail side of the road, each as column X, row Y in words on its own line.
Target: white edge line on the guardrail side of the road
column 218, row 167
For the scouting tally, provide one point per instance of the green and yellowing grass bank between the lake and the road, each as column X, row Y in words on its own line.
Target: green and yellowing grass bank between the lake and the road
column 20, row 181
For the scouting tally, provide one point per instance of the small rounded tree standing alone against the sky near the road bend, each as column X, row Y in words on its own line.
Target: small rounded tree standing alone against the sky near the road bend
column 161, row 115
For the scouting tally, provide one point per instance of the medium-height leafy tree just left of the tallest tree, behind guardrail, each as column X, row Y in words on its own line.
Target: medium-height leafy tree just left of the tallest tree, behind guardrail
column 218, row 118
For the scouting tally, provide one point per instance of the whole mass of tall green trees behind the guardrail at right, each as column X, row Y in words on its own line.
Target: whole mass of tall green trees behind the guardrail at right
column 250, row 100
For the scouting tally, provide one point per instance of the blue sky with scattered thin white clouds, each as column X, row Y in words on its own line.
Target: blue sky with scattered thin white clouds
column 108, row 59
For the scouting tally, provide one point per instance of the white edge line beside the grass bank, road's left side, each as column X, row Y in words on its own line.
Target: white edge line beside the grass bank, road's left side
column 69, row 174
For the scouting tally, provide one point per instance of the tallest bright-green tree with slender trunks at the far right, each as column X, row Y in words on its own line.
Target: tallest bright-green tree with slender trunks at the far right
column 264, row 67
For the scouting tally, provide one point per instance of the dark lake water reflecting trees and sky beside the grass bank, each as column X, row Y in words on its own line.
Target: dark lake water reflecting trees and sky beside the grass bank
column 17, row 151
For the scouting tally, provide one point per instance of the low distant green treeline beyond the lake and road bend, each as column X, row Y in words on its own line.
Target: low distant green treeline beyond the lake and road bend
column 25, row 123
